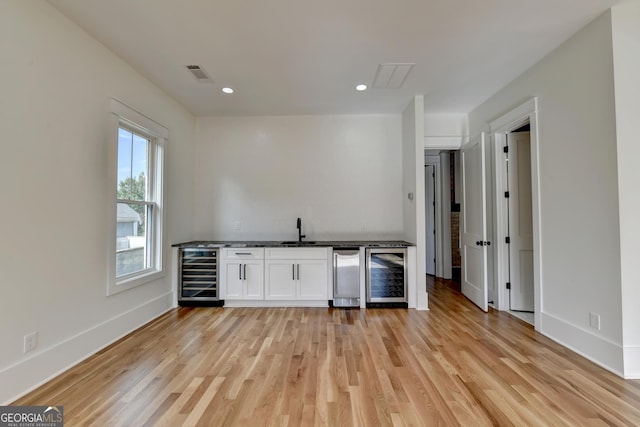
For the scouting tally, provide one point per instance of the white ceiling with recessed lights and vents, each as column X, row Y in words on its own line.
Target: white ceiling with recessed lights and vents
column 306, row 56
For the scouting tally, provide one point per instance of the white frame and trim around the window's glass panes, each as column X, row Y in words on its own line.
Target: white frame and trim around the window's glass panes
column 123, row 116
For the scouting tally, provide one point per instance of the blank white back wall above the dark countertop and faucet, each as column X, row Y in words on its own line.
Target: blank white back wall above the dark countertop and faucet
column 340, row 174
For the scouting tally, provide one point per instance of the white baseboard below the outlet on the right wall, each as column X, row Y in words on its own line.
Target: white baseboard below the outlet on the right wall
column 601, row 351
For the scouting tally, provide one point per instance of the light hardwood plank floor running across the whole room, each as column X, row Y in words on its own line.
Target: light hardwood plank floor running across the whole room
column 452, row 365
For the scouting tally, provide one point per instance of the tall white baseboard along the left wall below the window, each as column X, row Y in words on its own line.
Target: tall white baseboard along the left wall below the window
column 26, row 375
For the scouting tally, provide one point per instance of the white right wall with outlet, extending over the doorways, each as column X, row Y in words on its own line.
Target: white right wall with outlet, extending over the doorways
column 580, row 245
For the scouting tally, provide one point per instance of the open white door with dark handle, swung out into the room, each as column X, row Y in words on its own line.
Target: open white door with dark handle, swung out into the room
column 473, row 227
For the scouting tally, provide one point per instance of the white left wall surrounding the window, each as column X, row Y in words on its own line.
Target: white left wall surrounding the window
column 56, row 84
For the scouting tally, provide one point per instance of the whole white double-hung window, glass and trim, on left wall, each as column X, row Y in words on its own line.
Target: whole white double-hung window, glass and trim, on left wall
column 136, row 151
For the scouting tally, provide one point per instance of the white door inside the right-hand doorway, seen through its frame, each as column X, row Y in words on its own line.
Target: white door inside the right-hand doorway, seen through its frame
column 520, row 222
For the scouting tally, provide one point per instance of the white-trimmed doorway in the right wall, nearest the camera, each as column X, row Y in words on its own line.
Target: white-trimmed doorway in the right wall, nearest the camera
column 504, row 129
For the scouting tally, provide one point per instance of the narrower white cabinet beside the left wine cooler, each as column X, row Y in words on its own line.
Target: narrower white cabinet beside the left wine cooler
column 243, row 273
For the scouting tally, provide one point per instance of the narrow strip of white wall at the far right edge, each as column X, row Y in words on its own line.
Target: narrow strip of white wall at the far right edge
column 626, row 54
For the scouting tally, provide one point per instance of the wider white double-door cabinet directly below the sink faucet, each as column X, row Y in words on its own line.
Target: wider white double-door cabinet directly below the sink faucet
column 299, row 274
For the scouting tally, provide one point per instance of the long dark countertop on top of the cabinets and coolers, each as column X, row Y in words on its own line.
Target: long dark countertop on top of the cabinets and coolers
column 293, row 244
